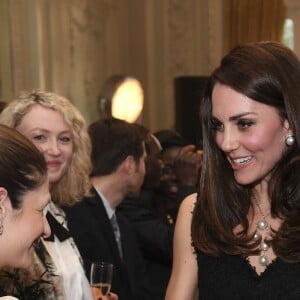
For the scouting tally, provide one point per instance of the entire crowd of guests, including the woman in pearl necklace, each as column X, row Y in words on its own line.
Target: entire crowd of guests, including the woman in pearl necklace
column 173, row 226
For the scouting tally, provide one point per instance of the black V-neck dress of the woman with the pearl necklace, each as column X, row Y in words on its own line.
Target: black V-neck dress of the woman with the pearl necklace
column 233, row 278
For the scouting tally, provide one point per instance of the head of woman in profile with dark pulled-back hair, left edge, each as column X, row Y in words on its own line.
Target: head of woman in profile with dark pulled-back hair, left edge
column 24, row 195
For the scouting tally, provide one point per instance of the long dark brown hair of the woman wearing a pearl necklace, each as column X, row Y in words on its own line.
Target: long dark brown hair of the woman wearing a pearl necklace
column 267, row 72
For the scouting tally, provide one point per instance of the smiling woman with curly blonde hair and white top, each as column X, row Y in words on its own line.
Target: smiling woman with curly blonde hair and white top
column 57, row 128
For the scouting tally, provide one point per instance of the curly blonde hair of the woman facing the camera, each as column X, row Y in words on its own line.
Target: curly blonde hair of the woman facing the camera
column 75, row 183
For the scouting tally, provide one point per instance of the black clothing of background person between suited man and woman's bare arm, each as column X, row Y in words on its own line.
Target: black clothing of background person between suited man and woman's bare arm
column 155, row 237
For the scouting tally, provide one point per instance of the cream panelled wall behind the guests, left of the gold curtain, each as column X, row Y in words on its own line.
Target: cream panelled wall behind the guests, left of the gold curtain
column 72, row 46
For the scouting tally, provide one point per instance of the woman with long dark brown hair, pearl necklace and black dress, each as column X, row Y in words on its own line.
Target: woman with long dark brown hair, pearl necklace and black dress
column 240, row 239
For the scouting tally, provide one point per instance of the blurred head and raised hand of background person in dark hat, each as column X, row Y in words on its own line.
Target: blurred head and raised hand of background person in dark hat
column 180, row 174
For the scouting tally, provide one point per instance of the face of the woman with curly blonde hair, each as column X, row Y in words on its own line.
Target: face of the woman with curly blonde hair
column 47, row 129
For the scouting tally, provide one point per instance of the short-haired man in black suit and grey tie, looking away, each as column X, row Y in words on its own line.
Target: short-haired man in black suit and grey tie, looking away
column 118, row 158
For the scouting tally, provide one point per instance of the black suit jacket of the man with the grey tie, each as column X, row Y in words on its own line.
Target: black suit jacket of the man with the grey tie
column 93, row 233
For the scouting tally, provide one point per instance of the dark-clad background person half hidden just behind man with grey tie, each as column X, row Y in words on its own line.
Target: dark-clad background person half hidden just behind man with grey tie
column 155, row 235
